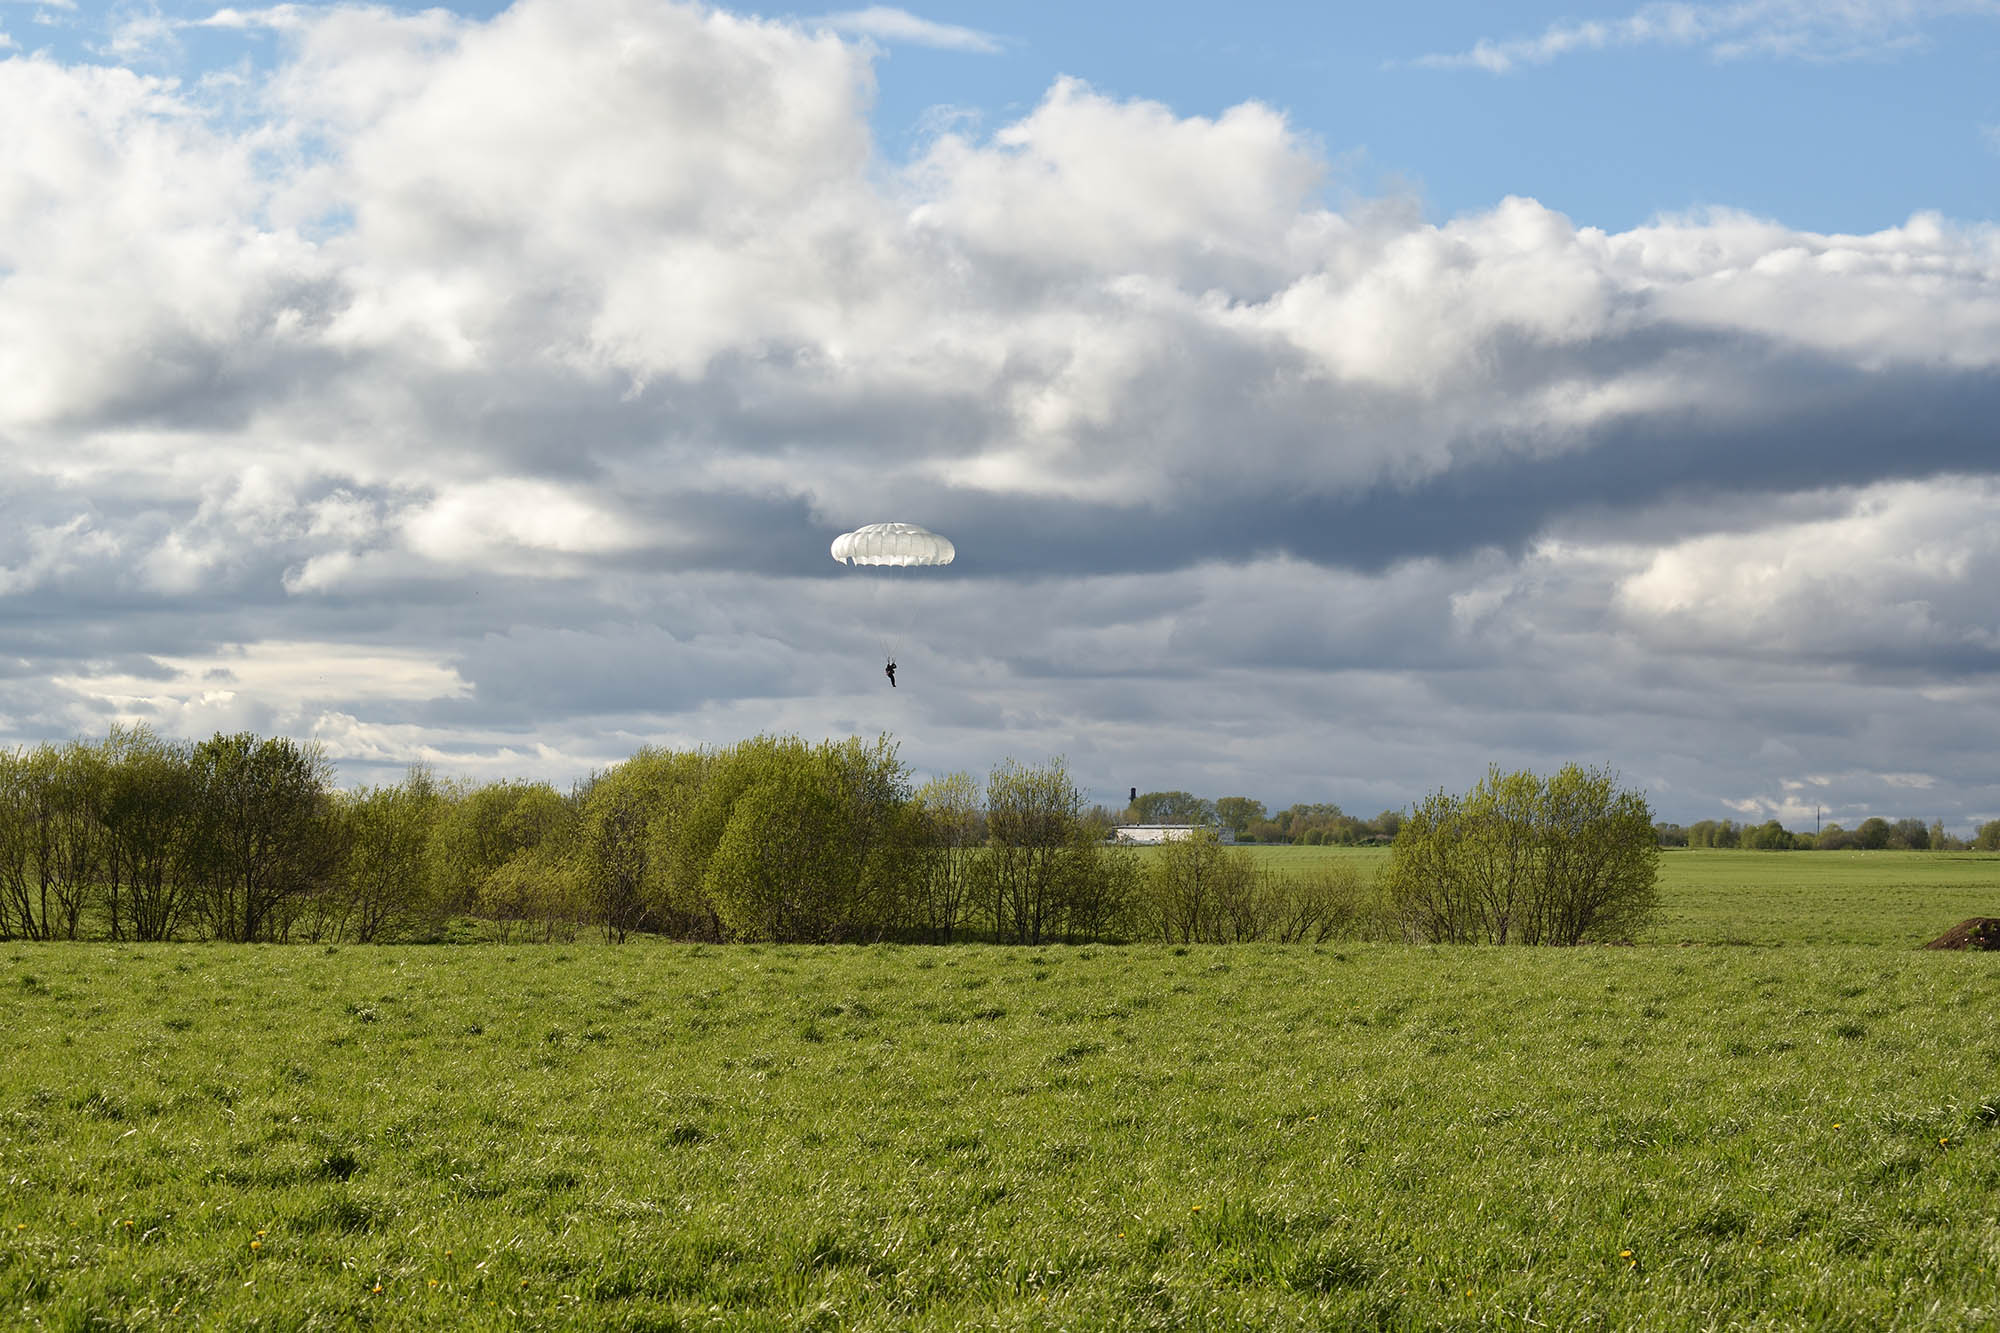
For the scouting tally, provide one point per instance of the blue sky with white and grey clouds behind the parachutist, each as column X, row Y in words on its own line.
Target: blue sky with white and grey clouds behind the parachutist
column 1325, row 403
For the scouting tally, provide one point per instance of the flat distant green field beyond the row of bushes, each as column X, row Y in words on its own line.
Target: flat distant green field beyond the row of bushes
column 1739, row 898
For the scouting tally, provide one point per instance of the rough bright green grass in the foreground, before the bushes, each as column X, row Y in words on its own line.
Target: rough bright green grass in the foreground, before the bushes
column 999, row 1138
